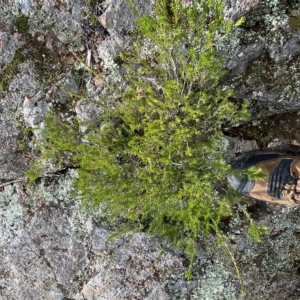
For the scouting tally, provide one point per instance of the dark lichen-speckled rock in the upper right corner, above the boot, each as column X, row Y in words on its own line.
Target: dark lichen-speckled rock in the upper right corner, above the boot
column 271, row 80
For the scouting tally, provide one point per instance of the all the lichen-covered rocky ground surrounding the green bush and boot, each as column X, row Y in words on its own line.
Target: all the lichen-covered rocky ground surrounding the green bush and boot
column 49, row 247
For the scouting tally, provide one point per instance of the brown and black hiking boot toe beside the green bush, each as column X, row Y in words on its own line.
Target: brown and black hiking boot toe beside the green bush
column 282, row 184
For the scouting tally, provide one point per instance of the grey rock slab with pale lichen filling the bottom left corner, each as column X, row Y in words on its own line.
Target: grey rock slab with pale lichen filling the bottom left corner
column 39, row 258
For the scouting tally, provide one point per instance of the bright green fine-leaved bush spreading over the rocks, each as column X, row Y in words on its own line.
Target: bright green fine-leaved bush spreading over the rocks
column 158, row 155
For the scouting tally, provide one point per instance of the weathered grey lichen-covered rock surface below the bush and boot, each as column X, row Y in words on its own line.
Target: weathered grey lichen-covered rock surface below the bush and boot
column 51, row 250
